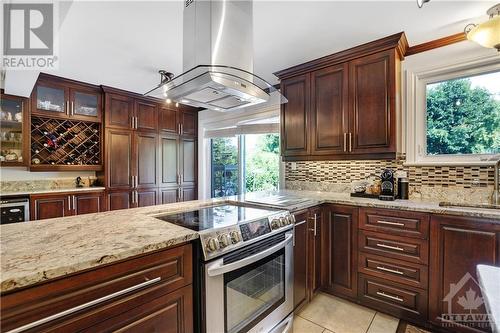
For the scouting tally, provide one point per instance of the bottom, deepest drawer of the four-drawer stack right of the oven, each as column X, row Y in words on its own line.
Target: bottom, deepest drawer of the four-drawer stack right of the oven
column 398, row 300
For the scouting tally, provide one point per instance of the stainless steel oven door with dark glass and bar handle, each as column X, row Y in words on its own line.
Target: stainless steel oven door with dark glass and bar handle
column 251, row 289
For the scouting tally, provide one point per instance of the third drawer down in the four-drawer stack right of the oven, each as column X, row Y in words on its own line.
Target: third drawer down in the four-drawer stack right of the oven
column 395, row 270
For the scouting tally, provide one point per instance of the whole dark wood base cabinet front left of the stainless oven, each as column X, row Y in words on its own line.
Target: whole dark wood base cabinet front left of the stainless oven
column 148, row 293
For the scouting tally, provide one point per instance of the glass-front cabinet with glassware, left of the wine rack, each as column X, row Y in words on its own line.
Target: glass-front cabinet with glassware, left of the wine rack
column 12, row 130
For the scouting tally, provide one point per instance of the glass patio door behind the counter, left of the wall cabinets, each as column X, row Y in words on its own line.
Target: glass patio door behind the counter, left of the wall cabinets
column 244, row 163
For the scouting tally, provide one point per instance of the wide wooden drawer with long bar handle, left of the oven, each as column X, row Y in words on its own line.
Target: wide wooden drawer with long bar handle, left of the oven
column 113, row 286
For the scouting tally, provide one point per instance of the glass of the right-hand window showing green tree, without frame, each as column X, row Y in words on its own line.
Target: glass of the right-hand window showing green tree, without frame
column 463, row 115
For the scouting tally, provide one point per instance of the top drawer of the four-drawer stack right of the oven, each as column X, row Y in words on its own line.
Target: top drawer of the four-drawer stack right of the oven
column 404, row 223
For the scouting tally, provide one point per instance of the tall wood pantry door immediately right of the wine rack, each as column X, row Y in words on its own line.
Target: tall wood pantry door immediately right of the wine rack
column 119, row 158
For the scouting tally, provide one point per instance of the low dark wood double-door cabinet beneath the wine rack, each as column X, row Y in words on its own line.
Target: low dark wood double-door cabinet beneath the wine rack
column 52, row 205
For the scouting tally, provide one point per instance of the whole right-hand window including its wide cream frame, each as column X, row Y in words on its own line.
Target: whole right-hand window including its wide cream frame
column 453, row 113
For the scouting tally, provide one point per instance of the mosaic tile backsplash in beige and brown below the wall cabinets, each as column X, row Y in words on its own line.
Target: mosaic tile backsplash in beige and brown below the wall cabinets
column 442, row 183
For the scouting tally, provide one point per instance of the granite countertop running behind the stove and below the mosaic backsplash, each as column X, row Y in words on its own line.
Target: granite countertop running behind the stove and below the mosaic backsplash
column 318, row 197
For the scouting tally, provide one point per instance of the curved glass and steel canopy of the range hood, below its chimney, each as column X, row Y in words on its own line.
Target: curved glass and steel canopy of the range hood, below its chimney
column 218, row 88
